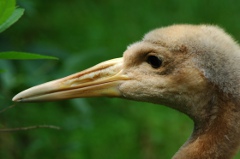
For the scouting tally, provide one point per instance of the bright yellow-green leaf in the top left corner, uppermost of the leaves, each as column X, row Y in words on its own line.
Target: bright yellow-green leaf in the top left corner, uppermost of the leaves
column 6, row 9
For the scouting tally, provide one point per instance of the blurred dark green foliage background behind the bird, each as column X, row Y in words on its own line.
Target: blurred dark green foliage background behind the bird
column 83, row 33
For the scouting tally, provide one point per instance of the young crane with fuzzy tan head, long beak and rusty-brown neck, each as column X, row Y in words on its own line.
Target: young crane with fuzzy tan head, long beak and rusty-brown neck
column 191, row 68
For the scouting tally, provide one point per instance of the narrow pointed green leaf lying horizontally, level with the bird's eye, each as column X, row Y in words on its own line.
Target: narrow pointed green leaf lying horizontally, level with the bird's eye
column 12, row 55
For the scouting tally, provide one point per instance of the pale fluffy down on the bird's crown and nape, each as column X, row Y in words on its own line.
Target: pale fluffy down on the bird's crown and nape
column 214, row 51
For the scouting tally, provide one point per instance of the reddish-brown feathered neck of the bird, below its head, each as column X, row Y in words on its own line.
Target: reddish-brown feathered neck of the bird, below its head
column 216, row 135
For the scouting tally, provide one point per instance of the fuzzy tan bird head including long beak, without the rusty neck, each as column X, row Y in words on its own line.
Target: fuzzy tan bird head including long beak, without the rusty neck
column 176, row 66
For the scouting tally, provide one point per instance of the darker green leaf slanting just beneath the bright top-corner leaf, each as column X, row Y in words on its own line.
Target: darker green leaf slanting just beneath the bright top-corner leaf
column 17, row 13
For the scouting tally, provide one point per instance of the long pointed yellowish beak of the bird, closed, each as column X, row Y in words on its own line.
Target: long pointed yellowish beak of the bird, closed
column 100, row 80
